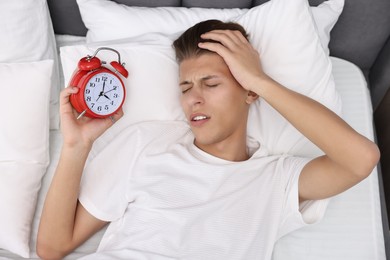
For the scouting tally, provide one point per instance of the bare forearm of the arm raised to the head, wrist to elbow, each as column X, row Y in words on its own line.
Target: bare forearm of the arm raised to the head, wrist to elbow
column 320, row 125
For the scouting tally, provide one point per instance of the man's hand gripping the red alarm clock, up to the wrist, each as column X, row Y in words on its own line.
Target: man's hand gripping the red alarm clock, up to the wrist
column 83, row 131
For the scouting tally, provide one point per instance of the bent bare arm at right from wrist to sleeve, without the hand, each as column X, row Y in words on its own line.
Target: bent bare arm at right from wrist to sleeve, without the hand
column 349, row 157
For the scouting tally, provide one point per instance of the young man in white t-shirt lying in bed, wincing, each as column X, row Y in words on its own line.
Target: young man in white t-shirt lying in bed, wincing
column 201, row 190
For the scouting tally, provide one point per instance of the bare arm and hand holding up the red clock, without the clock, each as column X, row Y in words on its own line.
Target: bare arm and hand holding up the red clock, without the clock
column 65, row 224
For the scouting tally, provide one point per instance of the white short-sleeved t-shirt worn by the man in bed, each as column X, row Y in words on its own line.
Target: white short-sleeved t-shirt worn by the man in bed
column 167, row 199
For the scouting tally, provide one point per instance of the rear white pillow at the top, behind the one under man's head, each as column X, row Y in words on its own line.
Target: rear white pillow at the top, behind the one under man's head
column 107, row 20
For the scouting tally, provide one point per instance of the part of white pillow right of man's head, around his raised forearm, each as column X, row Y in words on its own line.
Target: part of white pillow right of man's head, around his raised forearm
column 292, row 54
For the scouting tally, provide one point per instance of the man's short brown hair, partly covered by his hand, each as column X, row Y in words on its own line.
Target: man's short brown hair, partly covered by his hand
column 186, row 46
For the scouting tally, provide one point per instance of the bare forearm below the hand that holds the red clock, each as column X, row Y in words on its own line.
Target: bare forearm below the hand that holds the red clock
column 58, row 215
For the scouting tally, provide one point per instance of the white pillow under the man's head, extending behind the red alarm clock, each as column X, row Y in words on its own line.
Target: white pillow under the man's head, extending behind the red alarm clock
column 284, row 34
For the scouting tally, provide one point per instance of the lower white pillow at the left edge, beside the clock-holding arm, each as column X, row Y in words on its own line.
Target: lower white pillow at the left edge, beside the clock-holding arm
column 24, row 143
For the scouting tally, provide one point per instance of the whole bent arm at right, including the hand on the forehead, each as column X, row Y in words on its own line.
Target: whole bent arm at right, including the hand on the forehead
column 349, row 157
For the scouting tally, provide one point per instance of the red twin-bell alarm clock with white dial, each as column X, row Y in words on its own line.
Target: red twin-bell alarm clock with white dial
column 101, row 90
